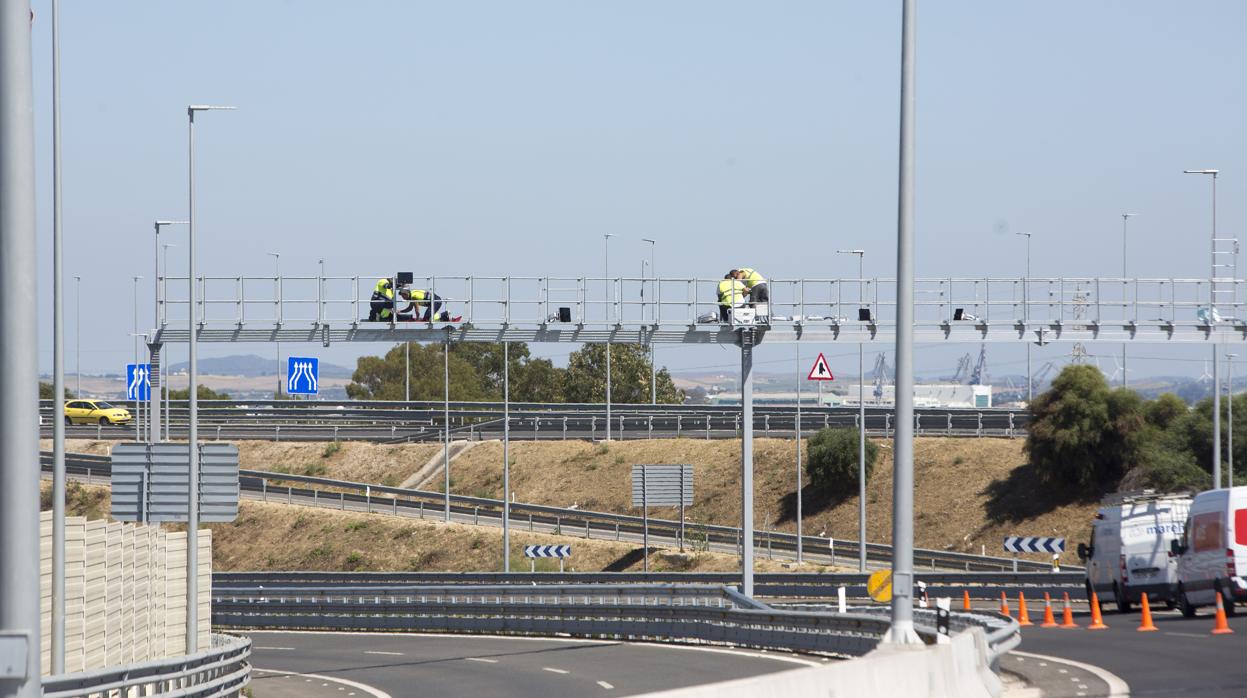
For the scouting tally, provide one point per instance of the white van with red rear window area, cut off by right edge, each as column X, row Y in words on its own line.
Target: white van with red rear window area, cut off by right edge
column 1214, row 552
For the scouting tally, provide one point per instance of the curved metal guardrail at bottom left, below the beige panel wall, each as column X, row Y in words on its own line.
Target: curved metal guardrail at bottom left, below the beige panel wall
column 223, row 671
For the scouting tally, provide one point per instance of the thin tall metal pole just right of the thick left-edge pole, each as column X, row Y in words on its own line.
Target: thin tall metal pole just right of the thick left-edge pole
column 58, row 640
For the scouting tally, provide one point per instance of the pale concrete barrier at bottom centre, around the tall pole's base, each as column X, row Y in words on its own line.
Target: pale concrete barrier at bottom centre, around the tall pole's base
column 956, row 670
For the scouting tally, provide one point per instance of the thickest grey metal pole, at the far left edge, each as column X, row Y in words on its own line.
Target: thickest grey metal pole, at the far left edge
column 19, row 361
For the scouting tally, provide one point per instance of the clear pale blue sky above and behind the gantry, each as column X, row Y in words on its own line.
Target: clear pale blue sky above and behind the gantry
column 507, row 138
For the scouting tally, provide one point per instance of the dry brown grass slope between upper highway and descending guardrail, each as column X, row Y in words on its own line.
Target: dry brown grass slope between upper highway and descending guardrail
column 970, row 493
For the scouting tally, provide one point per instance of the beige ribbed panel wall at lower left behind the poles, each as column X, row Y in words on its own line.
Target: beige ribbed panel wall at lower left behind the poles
column 125, row 593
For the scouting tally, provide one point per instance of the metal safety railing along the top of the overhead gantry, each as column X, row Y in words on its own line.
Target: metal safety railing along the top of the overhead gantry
column 652, row 302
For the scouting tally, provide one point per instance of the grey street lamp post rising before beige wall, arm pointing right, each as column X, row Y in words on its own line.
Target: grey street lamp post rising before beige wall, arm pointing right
column 193, row 524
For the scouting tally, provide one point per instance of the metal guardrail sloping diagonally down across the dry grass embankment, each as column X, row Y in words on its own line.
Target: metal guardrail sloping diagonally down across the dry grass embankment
column 566, row 522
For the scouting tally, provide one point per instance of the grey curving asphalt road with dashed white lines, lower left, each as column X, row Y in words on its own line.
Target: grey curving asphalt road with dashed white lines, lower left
column 423, row 665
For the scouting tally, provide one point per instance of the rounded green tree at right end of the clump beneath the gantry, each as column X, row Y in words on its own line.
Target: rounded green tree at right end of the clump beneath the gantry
column 585, row 381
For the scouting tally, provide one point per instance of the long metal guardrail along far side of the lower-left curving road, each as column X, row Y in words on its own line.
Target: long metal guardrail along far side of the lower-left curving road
column 650, row 613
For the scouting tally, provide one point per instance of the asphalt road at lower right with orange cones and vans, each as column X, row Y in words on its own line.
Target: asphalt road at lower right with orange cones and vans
column 1183, row 657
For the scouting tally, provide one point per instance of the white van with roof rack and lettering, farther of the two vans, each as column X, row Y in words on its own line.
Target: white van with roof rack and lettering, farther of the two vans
column 1130, row 550
